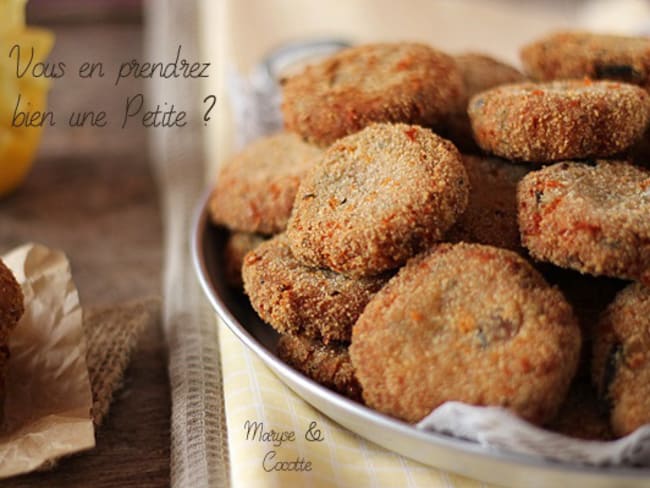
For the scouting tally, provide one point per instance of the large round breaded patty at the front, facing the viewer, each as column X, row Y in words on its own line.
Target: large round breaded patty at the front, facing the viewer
column 469, row 323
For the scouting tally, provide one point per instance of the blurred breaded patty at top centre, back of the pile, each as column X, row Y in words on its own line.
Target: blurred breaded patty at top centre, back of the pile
column 400, row 82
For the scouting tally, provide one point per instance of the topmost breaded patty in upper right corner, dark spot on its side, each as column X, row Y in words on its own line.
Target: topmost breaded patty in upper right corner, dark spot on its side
column 577, row 54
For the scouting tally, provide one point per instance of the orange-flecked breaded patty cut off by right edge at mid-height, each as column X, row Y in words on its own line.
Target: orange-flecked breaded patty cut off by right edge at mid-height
column 591, row 218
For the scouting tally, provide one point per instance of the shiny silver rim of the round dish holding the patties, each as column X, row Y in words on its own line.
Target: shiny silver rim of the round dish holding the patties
column 437, row 450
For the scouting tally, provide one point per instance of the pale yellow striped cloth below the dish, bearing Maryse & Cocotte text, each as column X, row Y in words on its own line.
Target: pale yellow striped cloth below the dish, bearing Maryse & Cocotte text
column 256, row 399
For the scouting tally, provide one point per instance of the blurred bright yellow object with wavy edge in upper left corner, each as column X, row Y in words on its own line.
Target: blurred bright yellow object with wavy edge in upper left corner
column 18, row 145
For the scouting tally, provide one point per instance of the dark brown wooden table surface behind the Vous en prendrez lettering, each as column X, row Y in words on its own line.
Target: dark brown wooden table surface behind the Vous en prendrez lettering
column 92, row 194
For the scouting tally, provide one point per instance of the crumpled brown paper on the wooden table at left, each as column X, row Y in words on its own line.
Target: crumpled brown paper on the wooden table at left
column 48, row 398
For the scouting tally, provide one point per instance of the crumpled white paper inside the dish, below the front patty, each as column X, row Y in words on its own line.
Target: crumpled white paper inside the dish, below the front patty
column 498, row 428
